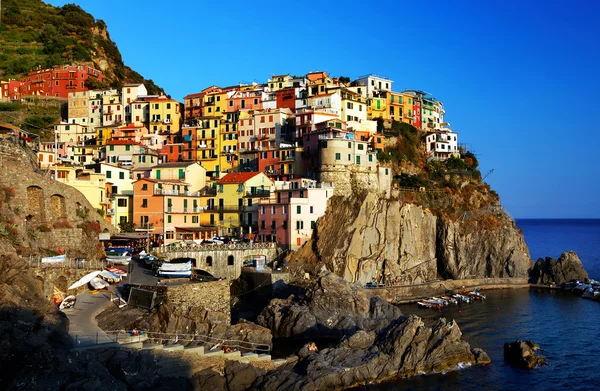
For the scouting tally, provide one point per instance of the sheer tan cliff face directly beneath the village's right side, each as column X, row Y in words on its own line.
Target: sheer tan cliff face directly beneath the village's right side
column 376, row 239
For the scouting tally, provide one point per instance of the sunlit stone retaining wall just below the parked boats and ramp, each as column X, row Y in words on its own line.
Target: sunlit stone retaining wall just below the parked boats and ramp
column 212, row 296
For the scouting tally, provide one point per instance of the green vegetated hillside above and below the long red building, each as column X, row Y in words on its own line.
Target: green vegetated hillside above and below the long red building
column 34, row 34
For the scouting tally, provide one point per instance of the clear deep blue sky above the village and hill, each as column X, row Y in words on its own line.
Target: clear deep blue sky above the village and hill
column 517, row 79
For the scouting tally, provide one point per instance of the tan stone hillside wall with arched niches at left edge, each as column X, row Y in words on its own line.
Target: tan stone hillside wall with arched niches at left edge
column 42, row 208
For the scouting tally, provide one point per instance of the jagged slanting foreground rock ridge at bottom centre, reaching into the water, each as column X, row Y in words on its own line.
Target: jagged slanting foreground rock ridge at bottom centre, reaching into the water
column 404, row 349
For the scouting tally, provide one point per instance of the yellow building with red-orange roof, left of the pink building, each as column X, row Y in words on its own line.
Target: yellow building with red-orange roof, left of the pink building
column 237, row 199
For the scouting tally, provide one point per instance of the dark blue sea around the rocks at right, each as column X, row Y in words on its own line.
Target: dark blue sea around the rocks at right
column 566, row 327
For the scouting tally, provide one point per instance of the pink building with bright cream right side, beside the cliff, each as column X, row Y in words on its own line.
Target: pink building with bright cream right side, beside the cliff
column 291, row 213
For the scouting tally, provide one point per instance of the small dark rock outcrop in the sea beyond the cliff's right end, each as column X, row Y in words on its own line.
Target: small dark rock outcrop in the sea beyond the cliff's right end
column 567, row 268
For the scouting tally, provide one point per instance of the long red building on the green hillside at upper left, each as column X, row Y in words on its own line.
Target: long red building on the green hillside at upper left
column 58, row 80
